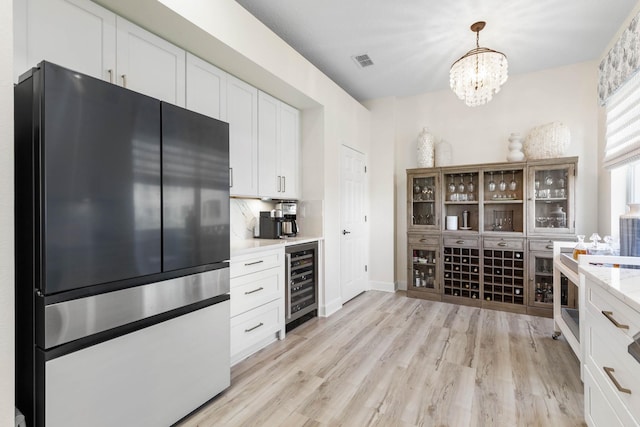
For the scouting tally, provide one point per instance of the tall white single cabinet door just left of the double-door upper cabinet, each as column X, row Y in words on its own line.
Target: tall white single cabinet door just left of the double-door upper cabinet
column 242, row 115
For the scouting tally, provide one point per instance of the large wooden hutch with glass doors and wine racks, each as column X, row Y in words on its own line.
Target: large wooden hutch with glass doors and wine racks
column 482, row 235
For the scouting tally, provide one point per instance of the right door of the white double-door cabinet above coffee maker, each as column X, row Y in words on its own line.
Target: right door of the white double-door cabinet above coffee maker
column 289, row 150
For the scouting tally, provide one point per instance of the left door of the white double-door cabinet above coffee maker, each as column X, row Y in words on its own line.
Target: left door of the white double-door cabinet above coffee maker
column 270, row 181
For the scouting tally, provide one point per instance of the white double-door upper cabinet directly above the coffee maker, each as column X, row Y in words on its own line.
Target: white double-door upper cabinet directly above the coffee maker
column 278, row 141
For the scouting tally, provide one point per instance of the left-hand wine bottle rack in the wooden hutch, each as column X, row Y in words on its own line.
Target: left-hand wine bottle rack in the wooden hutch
column 461, row 268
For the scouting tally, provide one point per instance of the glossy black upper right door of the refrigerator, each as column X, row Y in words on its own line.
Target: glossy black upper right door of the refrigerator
column 195, row 179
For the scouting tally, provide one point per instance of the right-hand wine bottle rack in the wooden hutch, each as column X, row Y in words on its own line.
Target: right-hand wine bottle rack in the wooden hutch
column 504, row 273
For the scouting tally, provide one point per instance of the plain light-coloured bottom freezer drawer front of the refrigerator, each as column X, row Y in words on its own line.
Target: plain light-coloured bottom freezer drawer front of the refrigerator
column 151, row 377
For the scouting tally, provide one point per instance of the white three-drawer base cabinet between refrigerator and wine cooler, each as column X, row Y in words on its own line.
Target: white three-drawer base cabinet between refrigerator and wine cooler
column 257, row 302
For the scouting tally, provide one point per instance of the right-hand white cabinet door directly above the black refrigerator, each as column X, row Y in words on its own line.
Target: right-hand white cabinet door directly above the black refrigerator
column 149, row 64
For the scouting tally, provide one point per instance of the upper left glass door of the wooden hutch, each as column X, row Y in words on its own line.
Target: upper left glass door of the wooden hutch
column 423, row 201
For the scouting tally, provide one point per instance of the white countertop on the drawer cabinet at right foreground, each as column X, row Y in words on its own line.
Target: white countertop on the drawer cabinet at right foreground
column 623, row 283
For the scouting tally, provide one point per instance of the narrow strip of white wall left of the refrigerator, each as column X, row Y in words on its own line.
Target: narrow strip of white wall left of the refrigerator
column 6, row 215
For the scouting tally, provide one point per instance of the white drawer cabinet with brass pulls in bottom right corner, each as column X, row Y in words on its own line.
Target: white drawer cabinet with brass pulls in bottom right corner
column 612, row 375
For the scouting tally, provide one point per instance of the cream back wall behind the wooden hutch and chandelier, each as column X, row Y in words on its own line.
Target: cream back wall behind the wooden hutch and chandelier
column 479, row 134
